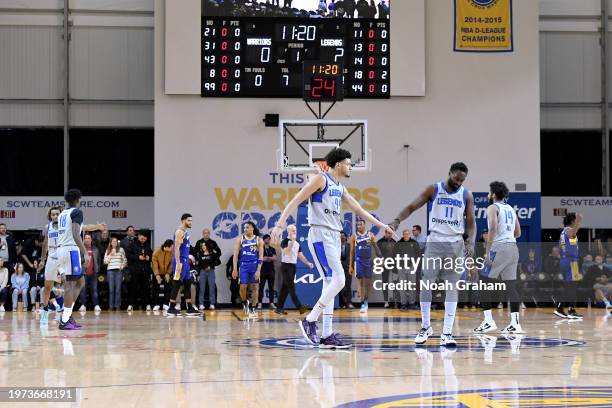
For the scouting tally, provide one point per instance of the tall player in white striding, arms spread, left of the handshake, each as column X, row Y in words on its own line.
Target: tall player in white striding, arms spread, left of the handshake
column 326, row 195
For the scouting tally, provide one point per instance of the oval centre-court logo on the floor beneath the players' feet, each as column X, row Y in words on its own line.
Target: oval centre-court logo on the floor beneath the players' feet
column 405, row 343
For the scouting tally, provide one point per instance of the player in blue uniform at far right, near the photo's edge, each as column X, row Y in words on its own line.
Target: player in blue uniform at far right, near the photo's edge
column 568, row 244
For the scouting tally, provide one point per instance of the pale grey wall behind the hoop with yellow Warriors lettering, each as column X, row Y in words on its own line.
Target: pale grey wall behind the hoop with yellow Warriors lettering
column 215, row 159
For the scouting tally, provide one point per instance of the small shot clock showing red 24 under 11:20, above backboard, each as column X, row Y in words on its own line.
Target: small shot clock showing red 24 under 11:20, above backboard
column 323, row 81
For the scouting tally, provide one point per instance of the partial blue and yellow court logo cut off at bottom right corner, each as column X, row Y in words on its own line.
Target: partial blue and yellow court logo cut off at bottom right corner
column 506, row 397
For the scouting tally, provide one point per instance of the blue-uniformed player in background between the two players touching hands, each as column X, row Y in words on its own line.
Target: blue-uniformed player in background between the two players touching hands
column 361, row 261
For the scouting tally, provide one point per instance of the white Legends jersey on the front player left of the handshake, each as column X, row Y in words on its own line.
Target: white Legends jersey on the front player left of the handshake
column 324, row 206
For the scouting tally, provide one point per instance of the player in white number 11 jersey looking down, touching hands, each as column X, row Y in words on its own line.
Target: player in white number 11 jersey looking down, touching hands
column 451, row 222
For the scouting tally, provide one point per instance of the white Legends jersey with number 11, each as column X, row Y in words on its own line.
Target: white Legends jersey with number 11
column 446, row 210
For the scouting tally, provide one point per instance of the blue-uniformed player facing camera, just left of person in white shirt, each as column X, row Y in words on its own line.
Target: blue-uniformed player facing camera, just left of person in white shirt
column 248, row 259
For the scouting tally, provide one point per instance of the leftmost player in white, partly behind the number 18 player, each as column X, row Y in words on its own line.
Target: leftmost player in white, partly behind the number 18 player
column 49, row 260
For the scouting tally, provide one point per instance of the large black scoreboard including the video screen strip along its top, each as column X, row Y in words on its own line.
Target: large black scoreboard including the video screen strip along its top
column 256, row 49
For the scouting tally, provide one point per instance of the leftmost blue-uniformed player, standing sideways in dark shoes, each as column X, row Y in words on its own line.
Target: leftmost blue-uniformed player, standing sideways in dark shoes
column 181, row 276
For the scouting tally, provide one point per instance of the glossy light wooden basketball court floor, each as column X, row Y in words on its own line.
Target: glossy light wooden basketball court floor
column 147, row 360
